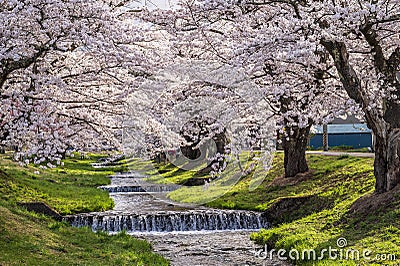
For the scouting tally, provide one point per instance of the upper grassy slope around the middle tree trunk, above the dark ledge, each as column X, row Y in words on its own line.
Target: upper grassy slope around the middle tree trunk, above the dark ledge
column 332, row 179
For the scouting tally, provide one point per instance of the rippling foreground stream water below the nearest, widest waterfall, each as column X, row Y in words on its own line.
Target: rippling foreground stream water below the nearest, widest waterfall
column 208, row 248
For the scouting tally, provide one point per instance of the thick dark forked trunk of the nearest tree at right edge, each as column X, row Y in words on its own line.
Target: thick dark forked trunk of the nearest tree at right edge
column 386, row 128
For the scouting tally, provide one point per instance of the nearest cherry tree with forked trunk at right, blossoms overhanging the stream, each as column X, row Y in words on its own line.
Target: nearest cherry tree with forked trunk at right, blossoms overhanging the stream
column 361, row 38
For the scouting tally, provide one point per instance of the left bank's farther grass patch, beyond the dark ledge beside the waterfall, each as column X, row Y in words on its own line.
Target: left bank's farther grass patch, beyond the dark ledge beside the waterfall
column 68, row 189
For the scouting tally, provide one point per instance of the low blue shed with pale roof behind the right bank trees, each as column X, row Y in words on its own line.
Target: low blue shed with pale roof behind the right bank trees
column 352, row 135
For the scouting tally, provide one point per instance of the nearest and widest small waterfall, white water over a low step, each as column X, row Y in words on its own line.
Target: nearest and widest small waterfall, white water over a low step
column 197, row 220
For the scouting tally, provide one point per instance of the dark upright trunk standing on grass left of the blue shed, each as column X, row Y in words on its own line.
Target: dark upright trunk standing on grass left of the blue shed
column 294, row 147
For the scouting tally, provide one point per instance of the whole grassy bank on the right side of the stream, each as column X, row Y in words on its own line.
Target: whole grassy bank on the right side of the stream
column 311, row 211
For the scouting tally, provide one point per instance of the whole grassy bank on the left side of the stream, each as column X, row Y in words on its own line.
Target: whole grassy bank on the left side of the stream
column 27, row 238
